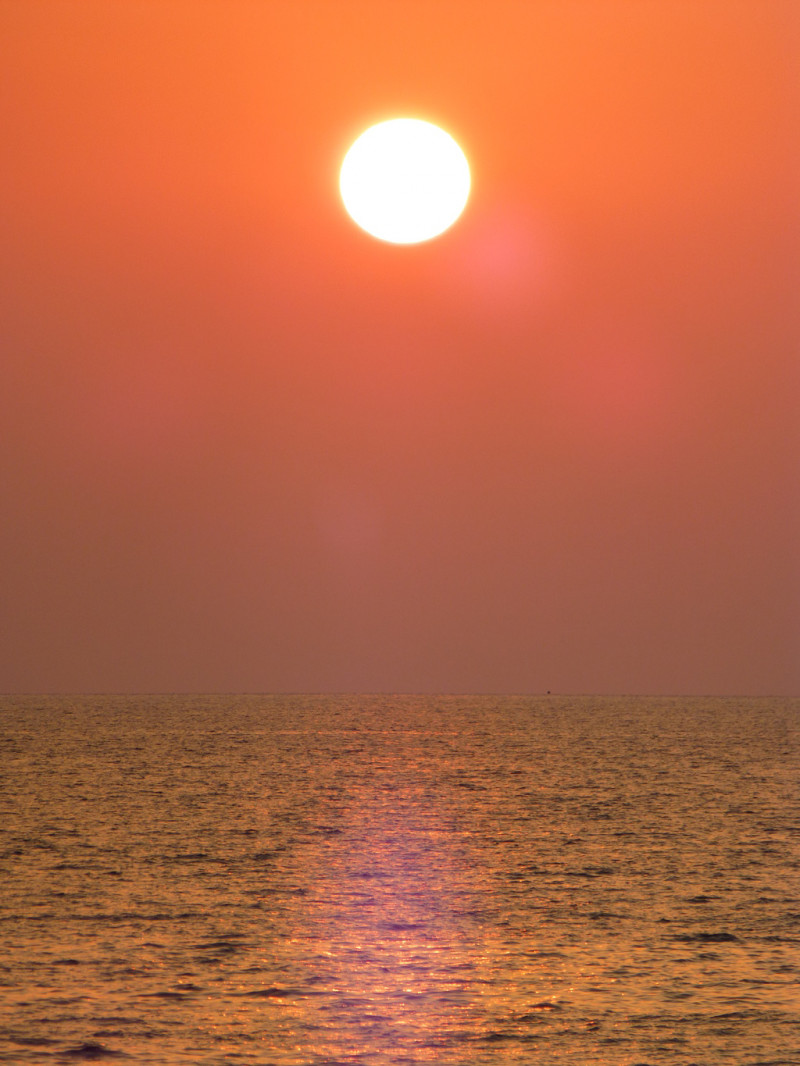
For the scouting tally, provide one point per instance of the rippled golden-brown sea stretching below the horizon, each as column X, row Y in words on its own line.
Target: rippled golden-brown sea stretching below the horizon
column 387, row 880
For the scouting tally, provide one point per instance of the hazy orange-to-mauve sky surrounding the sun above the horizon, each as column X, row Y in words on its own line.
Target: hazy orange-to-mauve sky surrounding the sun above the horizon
column 246, row 447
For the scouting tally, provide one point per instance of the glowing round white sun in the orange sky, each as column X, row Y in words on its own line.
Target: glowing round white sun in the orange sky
column 405, row 181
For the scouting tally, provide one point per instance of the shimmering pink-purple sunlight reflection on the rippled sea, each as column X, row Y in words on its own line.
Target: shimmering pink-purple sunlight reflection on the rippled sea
column 397, row 926
